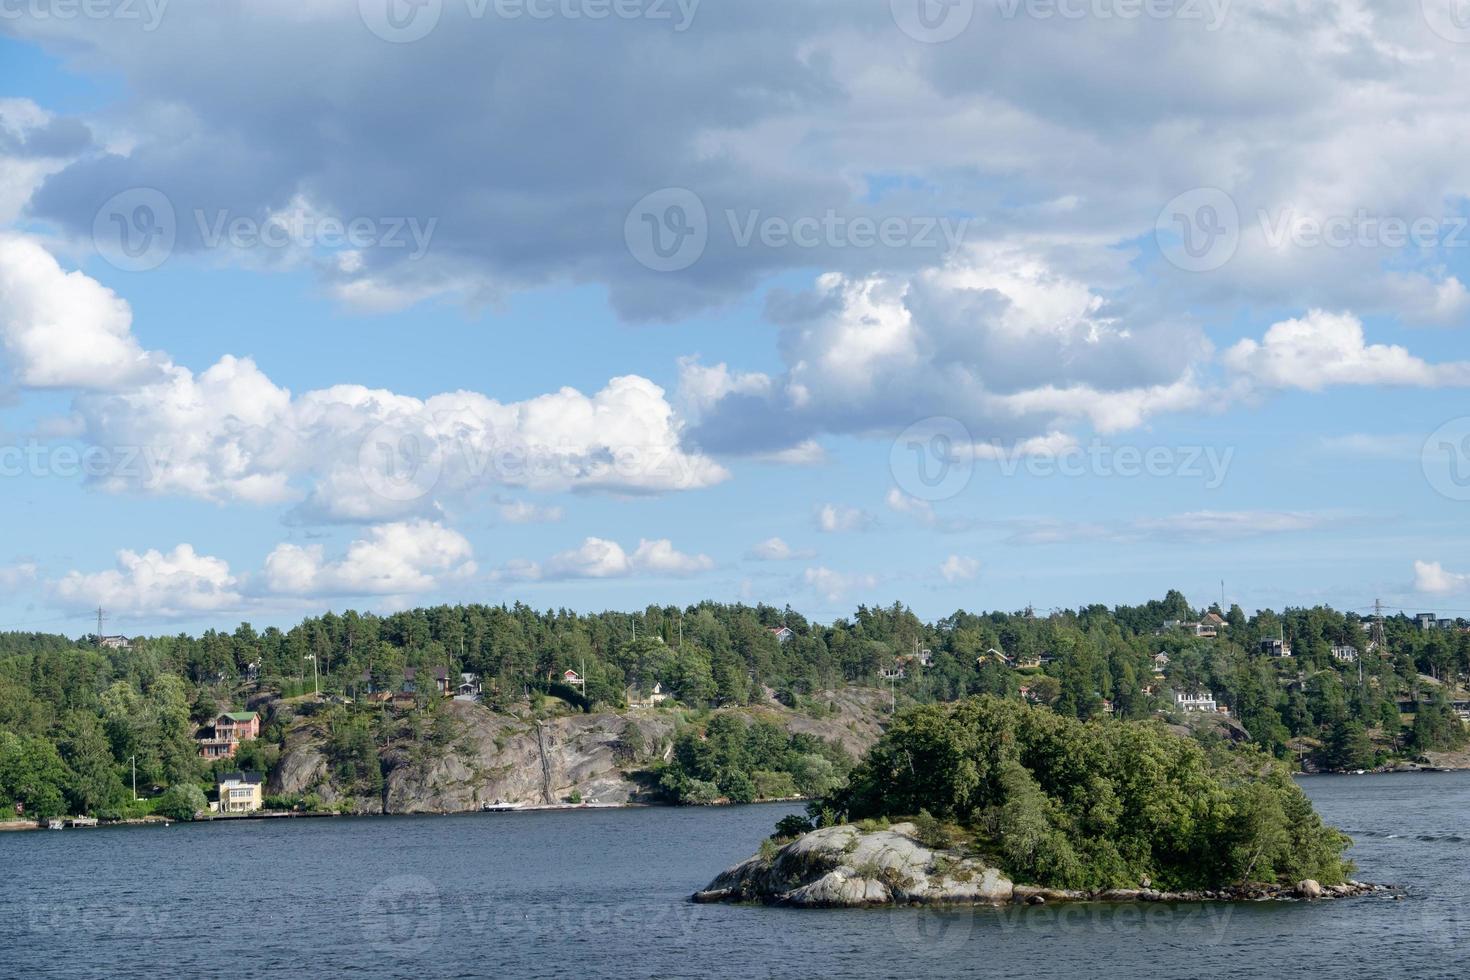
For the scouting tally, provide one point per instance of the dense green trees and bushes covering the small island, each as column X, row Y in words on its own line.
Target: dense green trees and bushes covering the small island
column 1068, row 804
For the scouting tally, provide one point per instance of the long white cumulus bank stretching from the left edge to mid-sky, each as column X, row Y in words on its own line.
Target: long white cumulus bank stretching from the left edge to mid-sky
column 345, row 453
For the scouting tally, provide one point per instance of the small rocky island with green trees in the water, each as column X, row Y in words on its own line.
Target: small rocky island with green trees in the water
column 1022, row 806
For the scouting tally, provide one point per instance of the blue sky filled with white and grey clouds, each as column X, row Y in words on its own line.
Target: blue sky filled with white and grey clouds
column 977, row 305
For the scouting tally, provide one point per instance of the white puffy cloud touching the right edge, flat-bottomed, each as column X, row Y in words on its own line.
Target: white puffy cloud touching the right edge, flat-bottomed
column 1330, row 349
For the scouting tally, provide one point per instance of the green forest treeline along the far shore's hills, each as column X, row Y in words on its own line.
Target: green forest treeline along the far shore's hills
column 76, row 718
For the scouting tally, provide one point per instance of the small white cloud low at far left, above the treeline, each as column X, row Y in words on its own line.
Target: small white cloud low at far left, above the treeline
column 155, row 584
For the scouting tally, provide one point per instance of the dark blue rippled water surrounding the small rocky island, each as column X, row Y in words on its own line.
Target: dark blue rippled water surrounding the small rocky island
column 603, row 894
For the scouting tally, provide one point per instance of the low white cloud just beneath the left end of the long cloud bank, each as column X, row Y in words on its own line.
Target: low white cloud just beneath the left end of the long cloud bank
column 396, row 559
